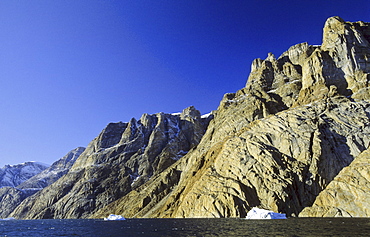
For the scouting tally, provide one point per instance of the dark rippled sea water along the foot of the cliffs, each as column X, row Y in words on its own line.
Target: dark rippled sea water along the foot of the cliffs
column 189, row 227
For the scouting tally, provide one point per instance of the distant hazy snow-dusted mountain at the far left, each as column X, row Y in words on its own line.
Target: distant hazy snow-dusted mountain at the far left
column 14, row 175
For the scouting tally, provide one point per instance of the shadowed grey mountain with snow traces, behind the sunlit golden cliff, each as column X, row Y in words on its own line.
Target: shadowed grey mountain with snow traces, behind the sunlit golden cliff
column 123, row 157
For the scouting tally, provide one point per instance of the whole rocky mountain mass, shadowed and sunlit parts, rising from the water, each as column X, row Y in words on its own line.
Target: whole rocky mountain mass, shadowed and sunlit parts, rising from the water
column 294, row 140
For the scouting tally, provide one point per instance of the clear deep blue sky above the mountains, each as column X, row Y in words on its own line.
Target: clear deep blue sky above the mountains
column 68, row 68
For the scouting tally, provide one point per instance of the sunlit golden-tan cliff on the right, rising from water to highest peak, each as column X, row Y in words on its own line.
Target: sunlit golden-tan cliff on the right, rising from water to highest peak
column 280, row 141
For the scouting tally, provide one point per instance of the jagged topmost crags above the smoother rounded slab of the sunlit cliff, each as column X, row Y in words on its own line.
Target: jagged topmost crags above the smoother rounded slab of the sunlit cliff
column 306, row 73
